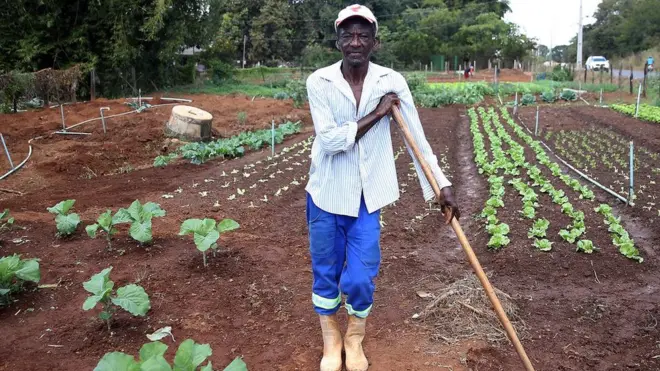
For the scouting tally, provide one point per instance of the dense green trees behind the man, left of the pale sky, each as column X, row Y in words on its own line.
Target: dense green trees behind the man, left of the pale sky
column 143, row 38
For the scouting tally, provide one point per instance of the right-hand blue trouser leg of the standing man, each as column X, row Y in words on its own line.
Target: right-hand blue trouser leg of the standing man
column 362, row 261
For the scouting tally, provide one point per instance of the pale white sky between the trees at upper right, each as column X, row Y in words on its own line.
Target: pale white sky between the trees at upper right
column 551, row 21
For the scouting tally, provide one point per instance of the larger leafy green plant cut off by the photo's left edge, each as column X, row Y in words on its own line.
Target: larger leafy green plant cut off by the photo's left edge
column 14, row 272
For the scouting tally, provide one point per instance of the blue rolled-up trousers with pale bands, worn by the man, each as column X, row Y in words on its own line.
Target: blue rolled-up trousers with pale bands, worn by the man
column 345, row 254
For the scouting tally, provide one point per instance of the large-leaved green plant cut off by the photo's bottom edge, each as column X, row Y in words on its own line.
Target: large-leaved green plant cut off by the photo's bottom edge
column 188, row 357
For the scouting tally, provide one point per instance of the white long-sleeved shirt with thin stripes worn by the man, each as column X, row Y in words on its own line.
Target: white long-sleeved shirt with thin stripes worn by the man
column 343, row 170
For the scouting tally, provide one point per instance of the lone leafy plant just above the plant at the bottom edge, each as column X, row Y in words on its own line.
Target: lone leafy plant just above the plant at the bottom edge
column 132, row 298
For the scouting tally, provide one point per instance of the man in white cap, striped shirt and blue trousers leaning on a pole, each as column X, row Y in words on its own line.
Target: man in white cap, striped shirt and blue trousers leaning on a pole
column 352, row 176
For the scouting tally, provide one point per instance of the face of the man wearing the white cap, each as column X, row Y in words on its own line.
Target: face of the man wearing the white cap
column 356, row 41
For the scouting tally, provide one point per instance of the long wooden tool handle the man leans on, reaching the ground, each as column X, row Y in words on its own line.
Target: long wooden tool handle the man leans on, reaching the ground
column 476, row 266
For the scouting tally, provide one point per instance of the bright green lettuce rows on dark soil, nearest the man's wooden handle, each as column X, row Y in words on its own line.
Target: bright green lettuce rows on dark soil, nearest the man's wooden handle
column 508, row 159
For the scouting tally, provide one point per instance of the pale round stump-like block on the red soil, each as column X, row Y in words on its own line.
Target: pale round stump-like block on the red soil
column 189, row 123
